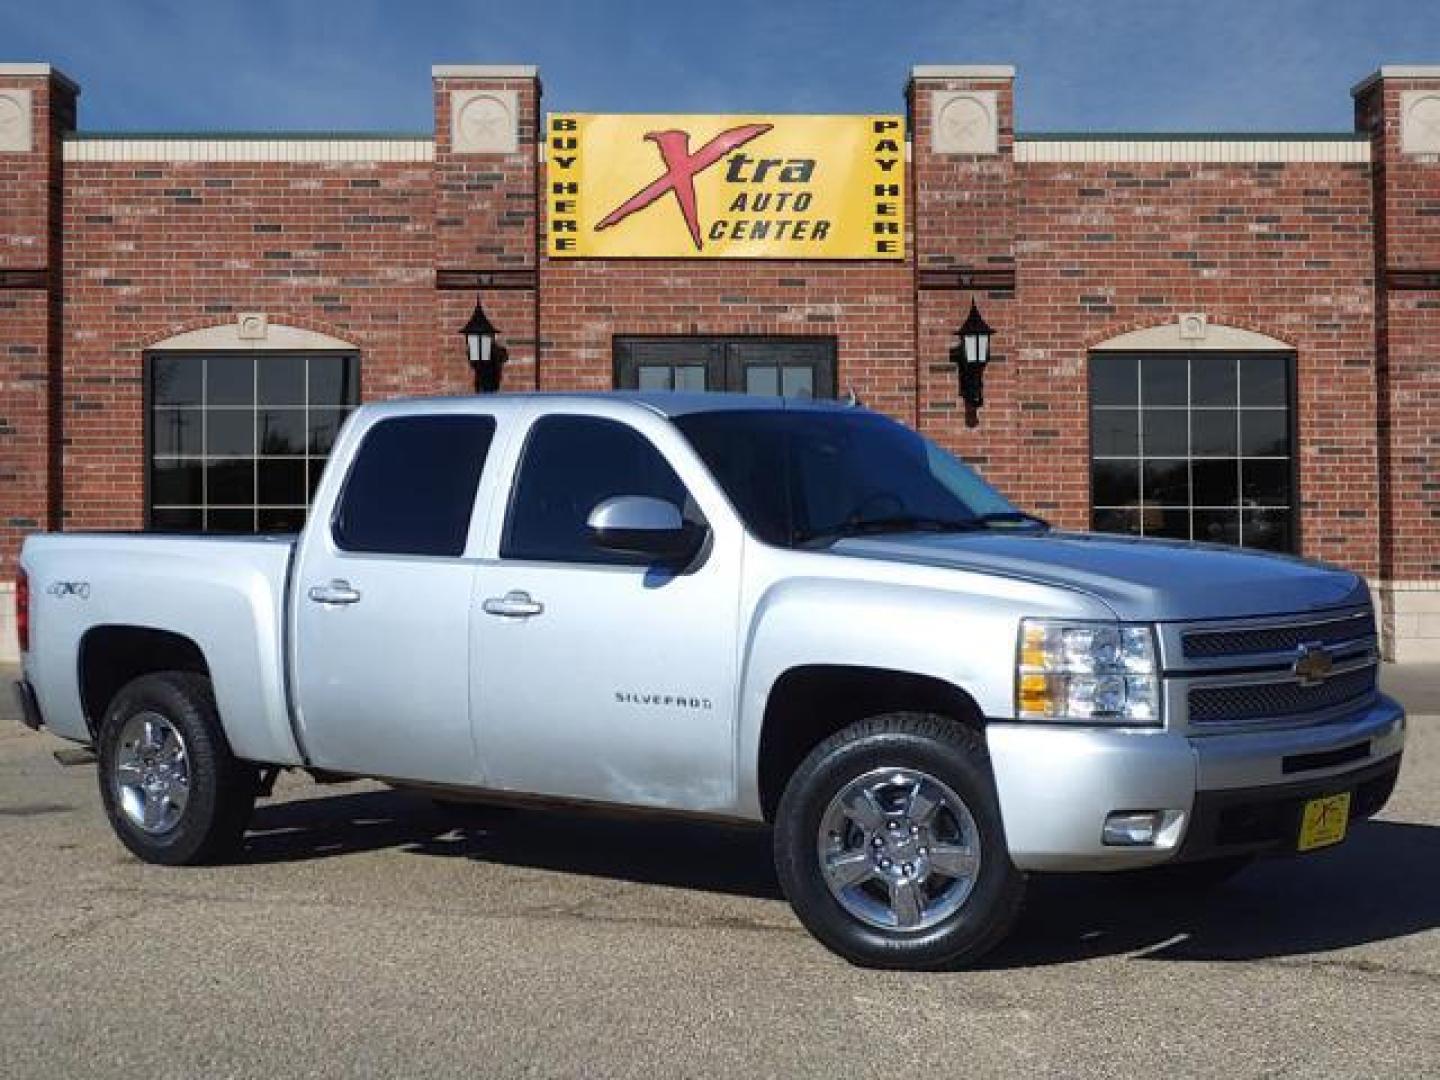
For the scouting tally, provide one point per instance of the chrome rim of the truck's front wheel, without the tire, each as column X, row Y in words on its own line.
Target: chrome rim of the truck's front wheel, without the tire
column 899, row 850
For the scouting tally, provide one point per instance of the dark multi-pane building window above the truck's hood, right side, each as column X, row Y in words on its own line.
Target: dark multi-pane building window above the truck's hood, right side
column 1194, row 446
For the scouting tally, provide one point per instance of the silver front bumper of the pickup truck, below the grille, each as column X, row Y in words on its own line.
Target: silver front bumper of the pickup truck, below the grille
column 1059, row 784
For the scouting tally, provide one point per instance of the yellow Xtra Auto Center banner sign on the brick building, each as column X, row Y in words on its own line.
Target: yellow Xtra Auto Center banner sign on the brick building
column 725, row 188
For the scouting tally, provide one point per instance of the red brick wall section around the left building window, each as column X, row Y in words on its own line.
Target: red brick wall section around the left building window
column 161, row 248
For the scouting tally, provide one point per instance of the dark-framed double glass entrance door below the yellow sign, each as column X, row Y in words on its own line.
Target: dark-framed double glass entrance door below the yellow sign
column 774, row 366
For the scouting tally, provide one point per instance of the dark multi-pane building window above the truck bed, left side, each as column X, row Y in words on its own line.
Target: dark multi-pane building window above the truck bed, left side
column 238, row 441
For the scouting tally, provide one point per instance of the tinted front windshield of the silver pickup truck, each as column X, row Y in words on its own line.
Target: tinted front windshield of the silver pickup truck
column 807, row 479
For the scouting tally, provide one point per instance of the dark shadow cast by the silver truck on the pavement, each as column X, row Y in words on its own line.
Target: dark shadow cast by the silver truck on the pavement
column 1385, row 883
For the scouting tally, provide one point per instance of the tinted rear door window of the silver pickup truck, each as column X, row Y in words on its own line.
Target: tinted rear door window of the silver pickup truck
column 413, row 486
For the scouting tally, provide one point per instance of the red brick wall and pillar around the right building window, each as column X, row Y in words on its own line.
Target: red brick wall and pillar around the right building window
column 1104, row 248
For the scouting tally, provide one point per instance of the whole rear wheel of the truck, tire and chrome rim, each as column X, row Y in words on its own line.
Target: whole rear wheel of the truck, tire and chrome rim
column 172, row 790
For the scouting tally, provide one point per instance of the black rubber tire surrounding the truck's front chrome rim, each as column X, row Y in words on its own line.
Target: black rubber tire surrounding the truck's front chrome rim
column 950, row 752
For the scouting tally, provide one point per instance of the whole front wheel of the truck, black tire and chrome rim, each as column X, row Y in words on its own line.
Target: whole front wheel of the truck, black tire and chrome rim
column 889, row 845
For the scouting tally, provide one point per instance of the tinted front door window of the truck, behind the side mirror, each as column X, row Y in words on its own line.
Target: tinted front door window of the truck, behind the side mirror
column 571, row 466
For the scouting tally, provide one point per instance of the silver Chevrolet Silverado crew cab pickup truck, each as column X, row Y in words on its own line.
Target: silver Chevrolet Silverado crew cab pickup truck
column 771, row 611
